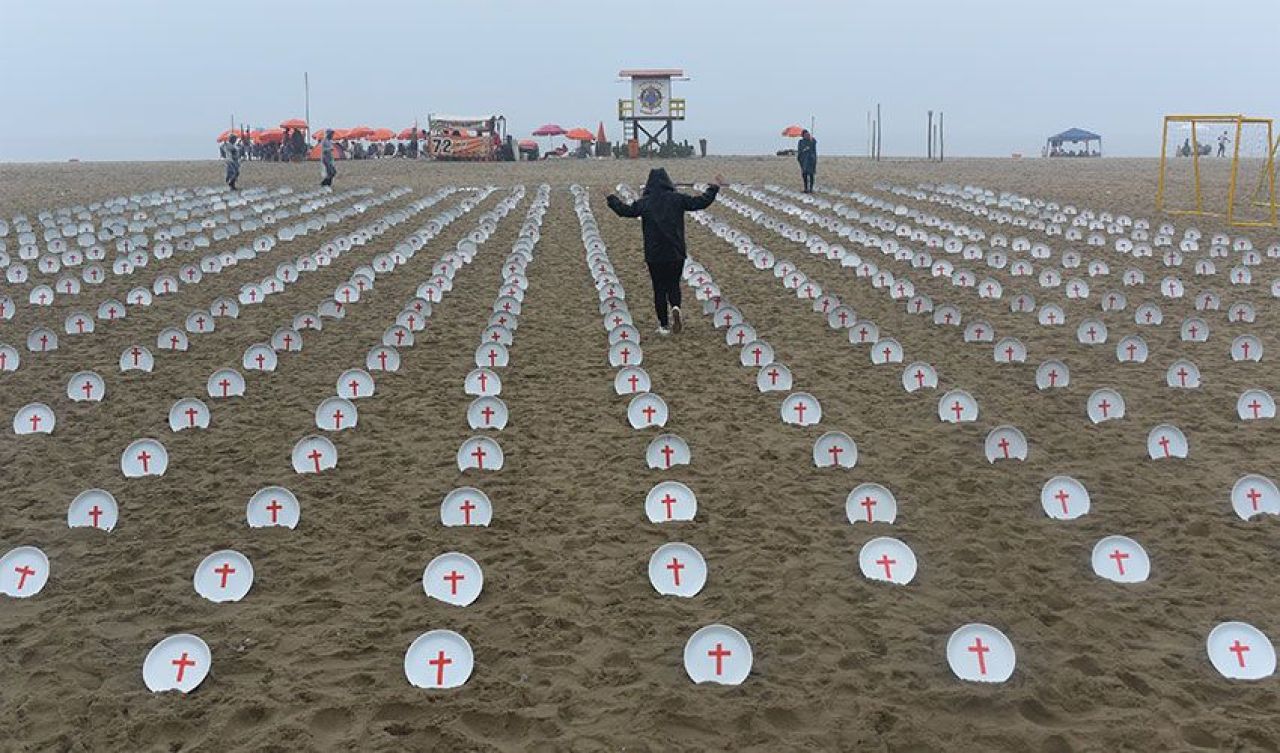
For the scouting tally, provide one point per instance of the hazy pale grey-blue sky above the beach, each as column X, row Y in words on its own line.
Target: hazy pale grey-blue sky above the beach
column 111, row 80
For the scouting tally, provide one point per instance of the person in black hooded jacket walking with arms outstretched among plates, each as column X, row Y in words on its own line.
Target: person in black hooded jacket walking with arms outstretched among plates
column 662, row 220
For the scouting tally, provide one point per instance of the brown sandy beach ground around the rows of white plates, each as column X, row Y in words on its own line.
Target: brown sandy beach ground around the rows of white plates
column 574, row 650
